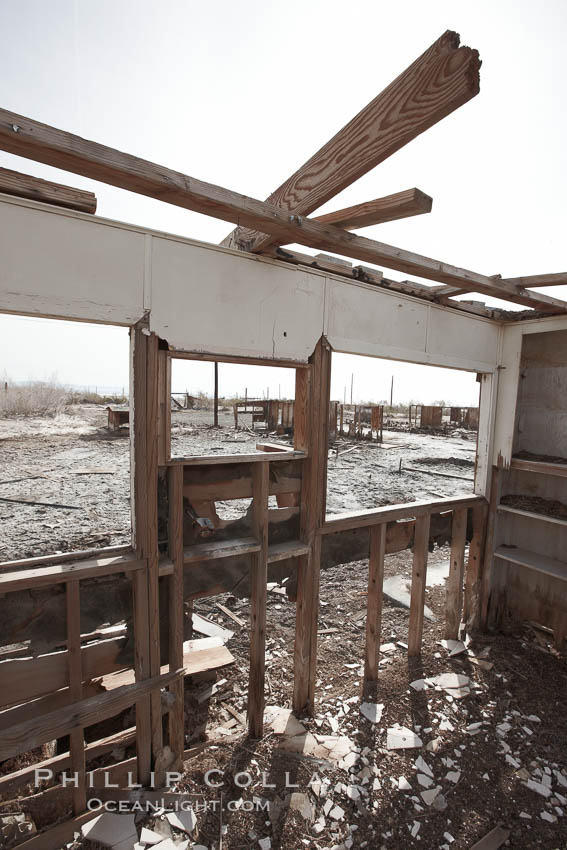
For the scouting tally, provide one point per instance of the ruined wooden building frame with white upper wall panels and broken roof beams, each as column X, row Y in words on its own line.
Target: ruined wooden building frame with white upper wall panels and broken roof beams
column 252, row 301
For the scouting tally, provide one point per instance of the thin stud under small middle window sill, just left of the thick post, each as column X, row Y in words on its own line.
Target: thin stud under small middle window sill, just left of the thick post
column 258, row 585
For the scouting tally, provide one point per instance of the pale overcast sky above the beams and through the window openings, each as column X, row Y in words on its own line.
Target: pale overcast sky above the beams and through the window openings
column 242, row 95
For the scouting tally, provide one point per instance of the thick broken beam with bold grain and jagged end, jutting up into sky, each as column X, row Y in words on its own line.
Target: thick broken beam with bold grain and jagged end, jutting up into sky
column 443, row 78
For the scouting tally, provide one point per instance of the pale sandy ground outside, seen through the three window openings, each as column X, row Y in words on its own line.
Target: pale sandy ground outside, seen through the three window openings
column 79, row 470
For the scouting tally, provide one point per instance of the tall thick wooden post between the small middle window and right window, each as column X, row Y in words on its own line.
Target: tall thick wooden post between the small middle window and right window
column 314, row 391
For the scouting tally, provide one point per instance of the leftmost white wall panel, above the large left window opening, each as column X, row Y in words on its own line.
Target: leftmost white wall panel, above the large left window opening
column 67, row 265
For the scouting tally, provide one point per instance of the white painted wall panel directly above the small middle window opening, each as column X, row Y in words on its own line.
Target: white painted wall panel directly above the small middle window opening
column 209, row 300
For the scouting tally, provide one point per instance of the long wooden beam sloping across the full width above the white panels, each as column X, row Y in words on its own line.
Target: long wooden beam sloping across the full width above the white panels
column 24, row 137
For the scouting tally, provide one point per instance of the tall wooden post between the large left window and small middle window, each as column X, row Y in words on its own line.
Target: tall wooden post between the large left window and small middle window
column 138, row 467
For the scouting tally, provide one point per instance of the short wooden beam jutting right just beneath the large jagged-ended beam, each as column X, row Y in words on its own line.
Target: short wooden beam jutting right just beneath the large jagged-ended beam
column 390, row 208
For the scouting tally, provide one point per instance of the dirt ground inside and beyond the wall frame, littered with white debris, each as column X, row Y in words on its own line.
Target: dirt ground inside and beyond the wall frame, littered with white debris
column 496, row 750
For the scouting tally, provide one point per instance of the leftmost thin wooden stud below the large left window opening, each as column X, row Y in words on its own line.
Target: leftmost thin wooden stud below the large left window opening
column 77, row 738
